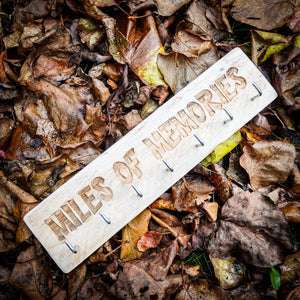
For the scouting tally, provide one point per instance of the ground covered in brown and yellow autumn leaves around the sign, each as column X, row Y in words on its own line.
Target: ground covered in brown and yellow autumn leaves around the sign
column 77, row 76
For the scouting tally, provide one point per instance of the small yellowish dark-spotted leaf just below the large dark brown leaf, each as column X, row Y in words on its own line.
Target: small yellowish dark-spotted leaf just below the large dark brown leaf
column 229, row 272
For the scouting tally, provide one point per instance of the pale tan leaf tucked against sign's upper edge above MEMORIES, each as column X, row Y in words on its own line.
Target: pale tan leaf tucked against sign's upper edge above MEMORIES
column 179, row 70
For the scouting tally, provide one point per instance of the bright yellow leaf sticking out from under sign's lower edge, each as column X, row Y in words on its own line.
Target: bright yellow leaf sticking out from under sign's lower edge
column 221, row 150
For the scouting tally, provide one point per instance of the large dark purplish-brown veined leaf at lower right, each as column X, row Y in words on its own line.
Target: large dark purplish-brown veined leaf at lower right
column 253, row 230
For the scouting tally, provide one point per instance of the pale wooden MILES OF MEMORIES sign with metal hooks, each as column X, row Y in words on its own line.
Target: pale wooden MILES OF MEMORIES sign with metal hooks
column 98, row 201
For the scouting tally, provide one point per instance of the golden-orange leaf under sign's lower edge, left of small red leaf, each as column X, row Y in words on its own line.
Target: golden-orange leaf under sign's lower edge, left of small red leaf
column 132, row 232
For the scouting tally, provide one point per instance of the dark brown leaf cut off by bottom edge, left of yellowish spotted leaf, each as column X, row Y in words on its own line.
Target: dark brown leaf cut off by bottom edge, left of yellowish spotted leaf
column 202, row 289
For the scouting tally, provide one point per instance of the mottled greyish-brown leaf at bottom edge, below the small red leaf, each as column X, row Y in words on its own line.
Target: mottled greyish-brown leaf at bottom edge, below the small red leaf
column 134, row 282
